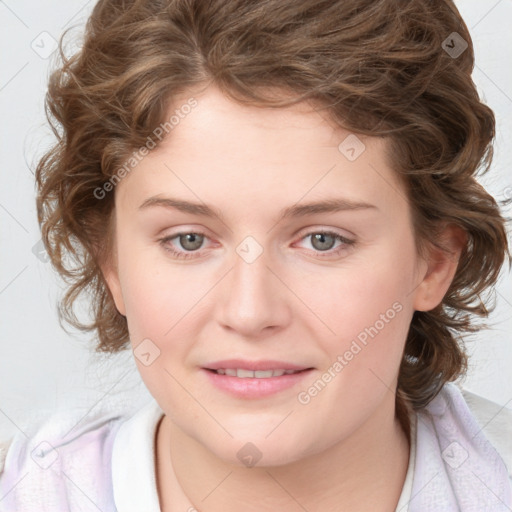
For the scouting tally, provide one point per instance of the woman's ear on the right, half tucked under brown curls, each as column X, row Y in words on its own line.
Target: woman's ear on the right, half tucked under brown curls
column 441, row 268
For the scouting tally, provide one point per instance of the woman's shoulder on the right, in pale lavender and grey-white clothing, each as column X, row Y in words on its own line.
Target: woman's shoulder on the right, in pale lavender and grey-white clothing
column 463, row 460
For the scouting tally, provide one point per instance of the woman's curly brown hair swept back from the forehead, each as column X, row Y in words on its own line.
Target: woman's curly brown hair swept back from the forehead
column 378, row 67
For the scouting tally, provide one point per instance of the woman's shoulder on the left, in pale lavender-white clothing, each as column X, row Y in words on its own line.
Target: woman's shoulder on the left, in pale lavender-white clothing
column 62, row 461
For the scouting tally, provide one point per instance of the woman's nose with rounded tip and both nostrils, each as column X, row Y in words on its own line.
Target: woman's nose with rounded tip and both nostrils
column 253, row 297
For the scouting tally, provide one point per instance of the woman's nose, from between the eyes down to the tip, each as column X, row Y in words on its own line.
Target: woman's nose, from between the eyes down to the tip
column 253, row 297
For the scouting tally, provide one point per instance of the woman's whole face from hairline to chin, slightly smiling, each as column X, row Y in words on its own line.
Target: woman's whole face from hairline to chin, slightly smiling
column 252, row 279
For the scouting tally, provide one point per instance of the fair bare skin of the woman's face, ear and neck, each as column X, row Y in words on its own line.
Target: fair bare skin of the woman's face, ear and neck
column 294, row 303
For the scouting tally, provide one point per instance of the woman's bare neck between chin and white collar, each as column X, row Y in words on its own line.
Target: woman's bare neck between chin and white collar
column 363, row 472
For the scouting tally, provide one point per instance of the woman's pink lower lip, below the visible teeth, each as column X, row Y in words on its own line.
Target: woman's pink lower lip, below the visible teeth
column 248, row 387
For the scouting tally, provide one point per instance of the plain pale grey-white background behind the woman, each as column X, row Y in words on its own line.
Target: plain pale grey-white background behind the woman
column 42, row 367
